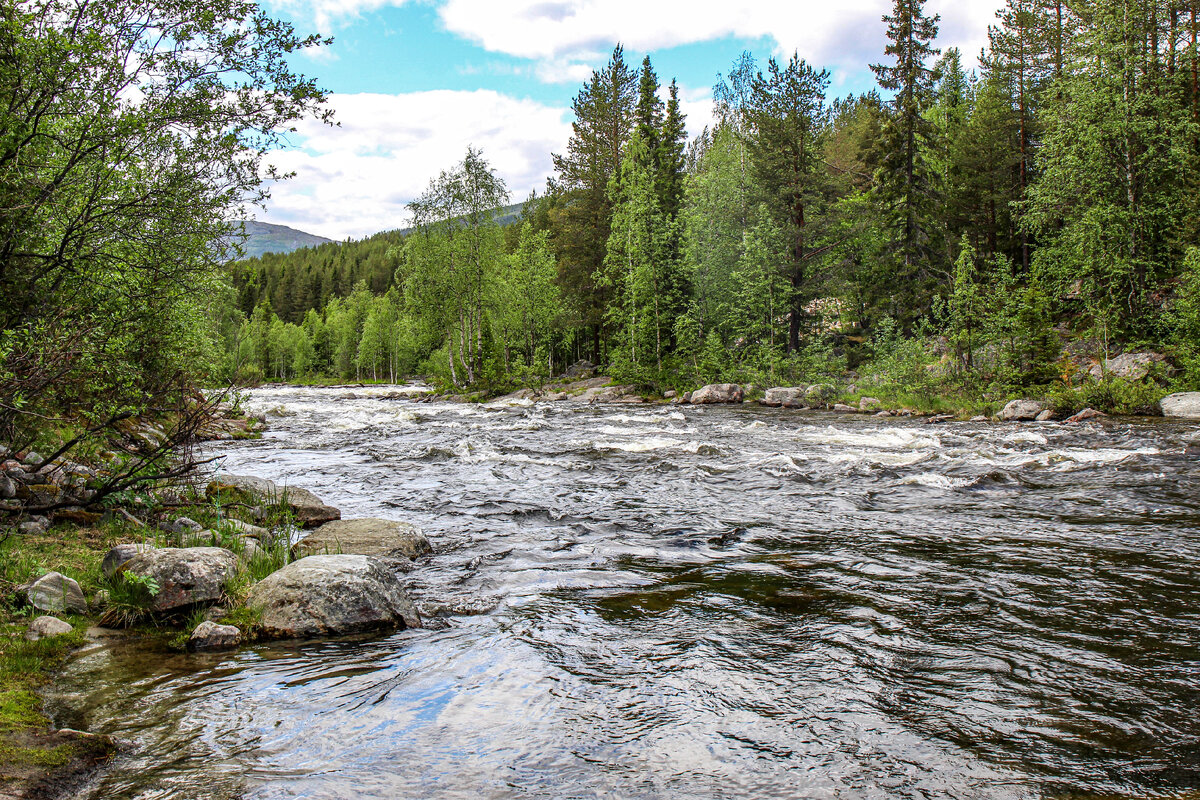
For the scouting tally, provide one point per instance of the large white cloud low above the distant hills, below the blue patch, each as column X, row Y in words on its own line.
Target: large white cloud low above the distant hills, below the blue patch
column 355, row 181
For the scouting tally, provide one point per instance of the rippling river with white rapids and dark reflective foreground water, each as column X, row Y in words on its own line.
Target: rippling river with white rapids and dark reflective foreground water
column 706, row 603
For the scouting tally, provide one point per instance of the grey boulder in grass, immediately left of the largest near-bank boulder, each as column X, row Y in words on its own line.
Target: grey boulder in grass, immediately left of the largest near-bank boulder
column 187, row 576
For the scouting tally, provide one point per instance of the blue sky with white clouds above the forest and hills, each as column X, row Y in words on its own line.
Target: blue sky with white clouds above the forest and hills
column 415, row 82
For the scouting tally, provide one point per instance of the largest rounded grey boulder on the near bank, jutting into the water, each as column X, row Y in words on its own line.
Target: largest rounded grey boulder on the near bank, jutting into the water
column 332, row 596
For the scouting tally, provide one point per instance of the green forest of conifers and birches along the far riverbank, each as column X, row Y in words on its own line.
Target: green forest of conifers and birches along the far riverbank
column 976, row 219
